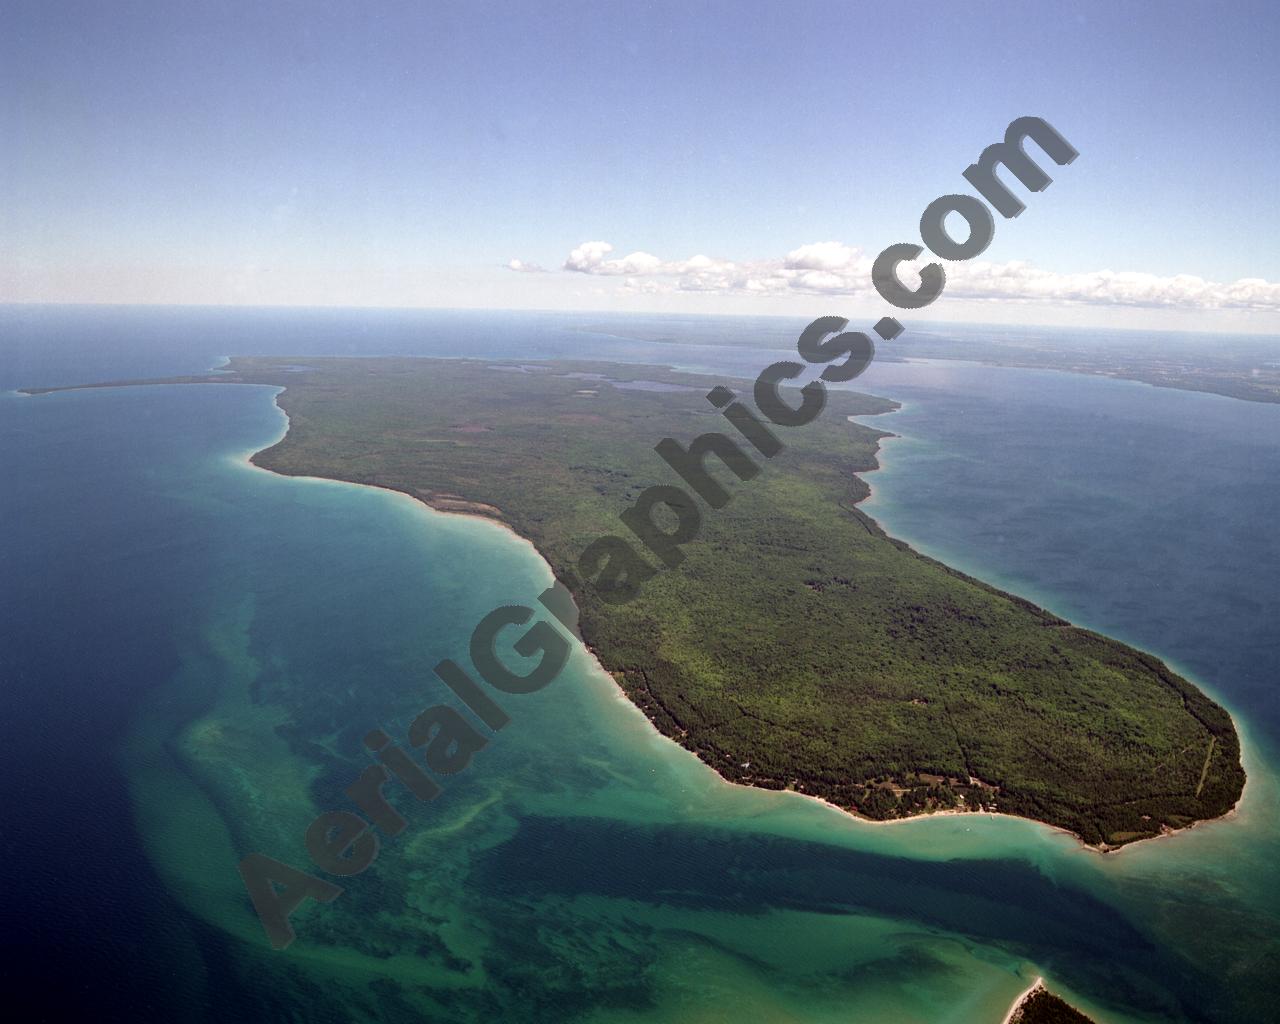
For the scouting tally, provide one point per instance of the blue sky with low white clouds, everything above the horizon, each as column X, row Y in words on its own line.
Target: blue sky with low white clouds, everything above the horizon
column 697, row 157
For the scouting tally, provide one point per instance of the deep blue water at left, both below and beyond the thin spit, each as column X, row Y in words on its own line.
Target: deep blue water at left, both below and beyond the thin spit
column 104, row 559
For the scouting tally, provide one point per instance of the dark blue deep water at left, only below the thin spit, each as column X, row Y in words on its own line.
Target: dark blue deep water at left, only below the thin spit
column 99, row 565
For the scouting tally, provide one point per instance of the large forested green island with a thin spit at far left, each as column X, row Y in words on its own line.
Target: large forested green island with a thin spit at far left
column 799, row 646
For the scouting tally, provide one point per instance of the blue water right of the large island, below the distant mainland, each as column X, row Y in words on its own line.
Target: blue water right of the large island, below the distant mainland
column 1142, row 514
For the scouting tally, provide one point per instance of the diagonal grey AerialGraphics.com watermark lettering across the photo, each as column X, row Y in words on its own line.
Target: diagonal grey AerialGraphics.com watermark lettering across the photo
column 345, row 844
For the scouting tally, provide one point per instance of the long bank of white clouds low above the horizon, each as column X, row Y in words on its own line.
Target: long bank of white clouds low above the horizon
column 836, row 269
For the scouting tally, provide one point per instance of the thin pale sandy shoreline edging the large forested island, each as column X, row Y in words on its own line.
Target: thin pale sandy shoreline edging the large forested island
column 249, row 459
